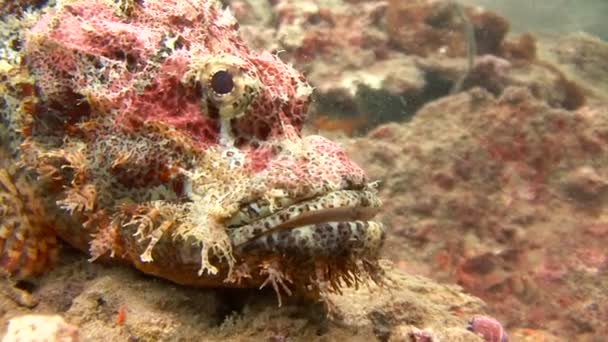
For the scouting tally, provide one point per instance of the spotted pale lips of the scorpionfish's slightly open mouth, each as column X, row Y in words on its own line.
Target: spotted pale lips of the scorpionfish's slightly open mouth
column 334, row 224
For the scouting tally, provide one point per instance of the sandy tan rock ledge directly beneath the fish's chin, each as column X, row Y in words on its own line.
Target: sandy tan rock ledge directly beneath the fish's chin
column 115, row 303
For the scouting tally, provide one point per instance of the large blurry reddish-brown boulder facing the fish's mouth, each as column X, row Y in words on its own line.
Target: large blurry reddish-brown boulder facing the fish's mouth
column 506, row 196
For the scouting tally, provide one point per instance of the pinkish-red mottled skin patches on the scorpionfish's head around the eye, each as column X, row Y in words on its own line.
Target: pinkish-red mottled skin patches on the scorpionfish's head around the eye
column 94, row 30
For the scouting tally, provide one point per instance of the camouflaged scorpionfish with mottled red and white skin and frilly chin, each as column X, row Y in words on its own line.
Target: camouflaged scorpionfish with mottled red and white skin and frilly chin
column 148, row 132
